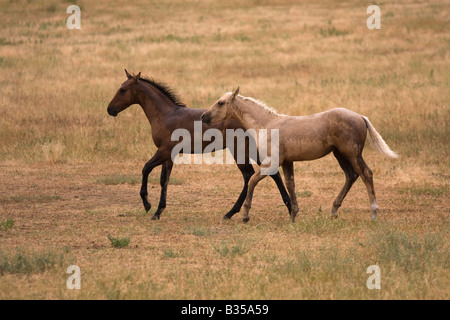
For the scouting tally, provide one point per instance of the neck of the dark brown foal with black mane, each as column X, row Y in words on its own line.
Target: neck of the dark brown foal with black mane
column 155, row 104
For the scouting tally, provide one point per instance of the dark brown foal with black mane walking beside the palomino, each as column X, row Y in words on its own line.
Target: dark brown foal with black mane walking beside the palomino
column 166, row 113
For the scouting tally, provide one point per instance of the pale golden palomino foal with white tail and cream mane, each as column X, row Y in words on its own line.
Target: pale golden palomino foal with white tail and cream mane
column 303, row 138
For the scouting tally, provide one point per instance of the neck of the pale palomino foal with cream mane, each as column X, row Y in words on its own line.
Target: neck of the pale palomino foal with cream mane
column 251, row 114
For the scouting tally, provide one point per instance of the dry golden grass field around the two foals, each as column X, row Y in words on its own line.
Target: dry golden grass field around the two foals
column 70, row 174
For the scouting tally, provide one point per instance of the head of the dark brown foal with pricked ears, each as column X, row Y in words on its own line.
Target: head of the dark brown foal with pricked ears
column 125, row 96
